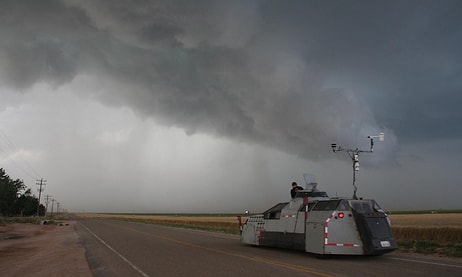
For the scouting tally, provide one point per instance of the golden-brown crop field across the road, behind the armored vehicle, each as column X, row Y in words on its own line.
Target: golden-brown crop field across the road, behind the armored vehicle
column 435, row 233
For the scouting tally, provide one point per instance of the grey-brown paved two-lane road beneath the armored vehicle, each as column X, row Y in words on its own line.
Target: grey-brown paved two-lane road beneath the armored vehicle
column 117, row 248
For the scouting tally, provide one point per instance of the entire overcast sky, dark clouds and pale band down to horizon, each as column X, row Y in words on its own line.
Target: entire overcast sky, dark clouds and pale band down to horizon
column 217, row 106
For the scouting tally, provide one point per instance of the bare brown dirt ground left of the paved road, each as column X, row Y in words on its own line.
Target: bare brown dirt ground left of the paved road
column 41, row 250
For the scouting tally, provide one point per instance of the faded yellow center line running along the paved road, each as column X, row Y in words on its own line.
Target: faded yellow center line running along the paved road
column 256, row 259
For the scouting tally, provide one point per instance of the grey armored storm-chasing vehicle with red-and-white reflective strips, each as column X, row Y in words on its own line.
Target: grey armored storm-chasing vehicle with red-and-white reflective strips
column 317, row 224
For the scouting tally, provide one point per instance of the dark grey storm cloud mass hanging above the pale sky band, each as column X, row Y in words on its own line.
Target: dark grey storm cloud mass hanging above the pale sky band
column 294, row 76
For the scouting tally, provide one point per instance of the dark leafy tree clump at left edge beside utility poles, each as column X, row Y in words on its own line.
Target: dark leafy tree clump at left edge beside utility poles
column 16, row 199
